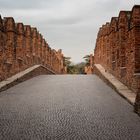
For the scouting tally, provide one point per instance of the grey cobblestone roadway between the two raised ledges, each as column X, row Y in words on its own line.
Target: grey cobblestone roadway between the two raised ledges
column 66, row 108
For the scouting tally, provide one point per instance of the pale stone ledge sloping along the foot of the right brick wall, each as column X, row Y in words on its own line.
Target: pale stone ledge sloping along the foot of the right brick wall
column 119, row 87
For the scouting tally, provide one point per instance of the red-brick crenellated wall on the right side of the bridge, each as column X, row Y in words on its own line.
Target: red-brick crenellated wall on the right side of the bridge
column 118, row 48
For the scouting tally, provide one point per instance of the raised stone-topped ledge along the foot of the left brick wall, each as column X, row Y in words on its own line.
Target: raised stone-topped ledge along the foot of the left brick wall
column 24, row 75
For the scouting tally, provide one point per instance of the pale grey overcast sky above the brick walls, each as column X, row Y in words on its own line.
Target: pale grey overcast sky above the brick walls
column 70, row 25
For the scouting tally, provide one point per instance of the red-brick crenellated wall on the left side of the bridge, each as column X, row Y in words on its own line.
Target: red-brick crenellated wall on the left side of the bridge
column 22, row 46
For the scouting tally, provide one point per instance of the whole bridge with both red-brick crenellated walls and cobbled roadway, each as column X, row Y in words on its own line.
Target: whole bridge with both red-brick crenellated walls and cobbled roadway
column 65, row 107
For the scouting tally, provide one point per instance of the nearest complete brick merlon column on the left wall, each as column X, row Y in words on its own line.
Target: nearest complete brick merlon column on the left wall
column 10, row 52
